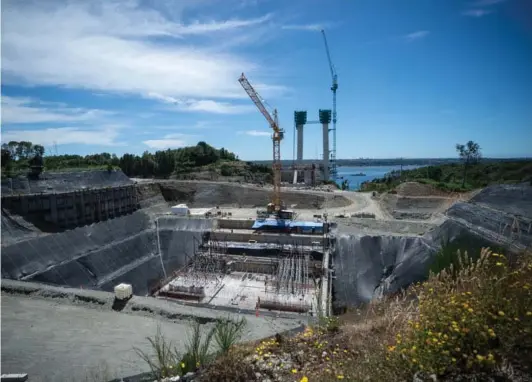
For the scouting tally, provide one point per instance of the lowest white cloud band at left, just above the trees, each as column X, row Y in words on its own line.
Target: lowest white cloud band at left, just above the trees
column 103, row 136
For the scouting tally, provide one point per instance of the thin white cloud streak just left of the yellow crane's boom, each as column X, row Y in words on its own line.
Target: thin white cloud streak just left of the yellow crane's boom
column 207, row 106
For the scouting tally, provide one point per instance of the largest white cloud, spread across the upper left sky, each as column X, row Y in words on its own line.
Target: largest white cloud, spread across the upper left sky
column 109, row 46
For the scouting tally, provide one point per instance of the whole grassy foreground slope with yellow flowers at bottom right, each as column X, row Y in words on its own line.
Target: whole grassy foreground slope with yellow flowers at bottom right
column 472, row 318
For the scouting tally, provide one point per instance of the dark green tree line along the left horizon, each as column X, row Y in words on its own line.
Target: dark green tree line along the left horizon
column 16, row 158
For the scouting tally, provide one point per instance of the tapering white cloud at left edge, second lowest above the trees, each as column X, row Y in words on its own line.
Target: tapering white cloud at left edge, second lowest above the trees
column 17, row 110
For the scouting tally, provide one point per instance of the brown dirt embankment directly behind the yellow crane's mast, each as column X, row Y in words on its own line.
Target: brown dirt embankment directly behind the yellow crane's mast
column 204, row 194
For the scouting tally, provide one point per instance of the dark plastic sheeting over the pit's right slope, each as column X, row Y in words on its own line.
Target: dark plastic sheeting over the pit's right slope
column 370, row 266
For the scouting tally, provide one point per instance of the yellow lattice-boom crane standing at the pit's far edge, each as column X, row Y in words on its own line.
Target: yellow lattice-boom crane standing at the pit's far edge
column 278, row 134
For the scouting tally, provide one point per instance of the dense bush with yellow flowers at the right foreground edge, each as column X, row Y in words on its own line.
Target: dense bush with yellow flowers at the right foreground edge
column 470, row 319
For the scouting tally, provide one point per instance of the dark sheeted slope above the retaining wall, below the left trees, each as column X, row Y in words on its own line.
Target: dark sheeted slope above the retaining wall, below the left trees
column 49, row 182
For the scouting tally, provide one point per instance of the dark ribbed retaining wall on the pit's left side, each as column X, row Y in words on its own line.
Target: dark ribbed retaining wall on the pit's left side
column 74, row 208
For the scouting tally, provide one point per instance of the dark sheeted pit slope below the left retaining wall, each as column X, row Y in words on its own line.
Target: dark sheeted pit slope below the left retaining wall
column 103, row 255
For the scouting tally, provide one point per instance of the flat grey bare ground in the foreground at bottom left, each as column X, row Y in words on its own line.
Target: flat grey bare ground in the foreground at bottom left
column 57, row 334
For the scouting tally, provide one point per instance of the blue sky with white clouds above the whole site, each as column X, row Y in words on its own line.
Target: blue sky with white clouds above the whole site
column 415, row 77
